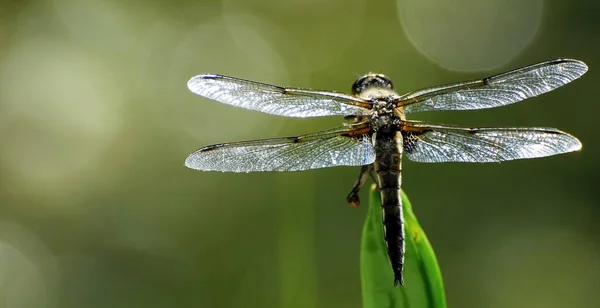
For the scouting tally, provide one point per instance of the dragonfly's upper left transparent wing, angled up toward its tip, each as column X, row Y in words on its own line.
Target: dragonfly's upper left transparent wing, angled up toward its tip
column 289, row 102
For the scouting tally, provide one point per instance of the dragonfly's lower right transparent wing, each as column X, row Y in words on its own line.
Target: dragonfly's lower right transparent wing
column 436, row 144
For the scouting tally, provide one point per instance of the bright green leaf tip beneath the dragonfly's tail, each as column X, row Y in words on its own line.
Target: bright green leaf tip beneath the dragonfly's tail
column 423, row 285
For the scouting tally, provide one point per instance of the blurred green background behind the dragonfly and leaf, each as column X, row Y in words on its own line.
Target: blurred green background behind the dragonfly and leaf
column 97, row 209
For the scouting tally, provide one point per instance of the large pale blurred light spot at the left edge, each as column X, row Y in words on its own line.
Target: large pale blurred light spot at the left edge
column 59, row 112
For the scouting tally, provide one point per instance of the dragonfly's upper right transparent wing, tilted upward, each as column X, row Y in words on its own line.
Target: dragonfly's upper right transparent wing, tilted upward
column 496, row 91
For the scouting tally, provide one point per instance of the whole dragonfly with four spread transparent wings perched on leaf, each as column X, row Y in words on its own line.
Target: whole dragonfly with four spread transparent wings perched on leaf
column 376, row 133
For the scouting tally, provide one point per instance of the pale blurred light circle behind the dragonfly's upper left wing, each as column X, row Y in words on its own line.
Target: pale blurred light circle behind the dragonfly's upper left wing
column 246, row 53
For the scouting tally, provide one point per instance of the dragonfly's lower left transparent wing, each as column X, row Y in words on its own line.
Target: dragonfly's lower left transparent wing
column 319, row 150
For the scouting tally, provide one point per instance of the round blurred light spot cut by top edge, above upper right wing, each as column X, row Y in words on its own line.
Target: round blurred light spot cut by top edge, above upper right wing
column 470, row 35
